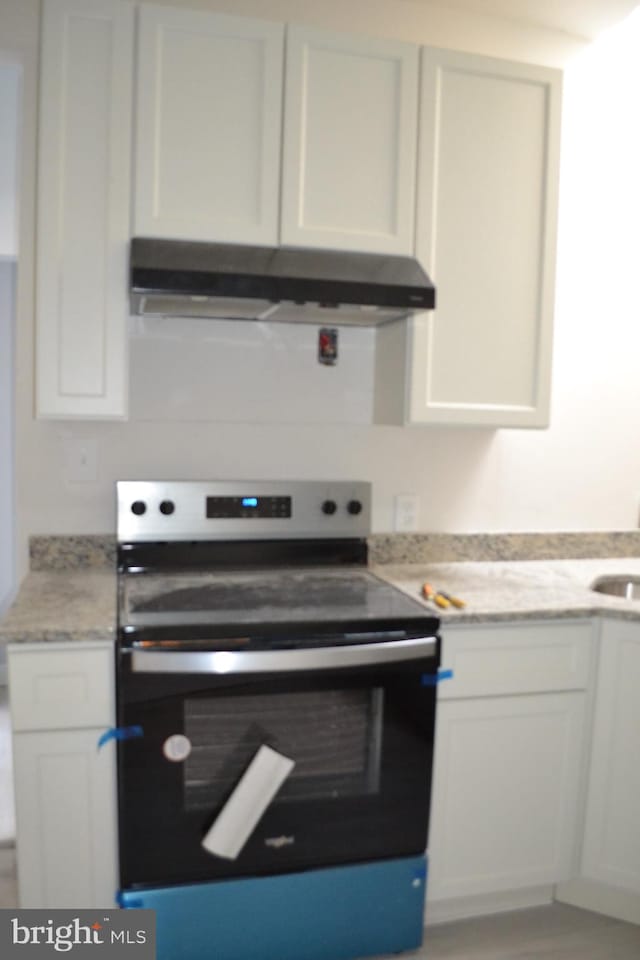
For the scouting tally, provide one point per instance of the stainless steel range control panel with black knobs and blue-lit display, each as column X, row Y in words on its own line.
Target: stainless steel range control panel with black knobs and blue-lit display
column 241, row 509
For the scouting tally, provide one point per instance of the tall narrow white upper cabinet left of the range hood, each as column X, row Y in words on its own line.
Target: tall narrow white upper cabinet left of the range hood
column 86, row 85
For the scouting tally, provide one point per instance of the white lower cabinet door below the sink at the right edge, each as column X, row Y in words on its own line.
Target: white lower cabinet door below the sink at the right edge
column 611, row 851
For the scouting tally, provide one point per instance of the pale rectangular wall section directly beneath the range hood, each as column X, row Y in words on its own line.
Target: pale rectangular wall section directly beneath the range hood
column 240, row 371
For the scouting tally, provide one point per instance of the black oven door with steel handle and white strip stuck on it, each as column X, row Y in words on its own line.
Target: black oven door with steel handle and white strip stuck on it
column 351, row 726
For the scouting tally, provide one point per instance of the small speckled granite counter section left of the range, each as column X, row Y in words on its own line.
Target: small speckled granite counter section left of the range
column 63, row 606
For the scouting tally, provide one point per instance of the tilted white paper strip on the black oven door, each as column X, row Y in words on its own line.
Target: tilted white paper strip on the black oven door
column 254, row 792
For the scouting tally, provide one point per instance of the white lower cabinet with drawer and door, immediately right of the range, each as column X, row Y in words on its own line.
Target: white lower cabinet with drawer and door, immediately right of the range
column 509, row 761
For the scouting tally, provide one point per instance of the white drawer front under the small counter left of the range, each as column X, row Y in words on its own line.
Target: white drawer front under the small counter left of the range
column 61, row 689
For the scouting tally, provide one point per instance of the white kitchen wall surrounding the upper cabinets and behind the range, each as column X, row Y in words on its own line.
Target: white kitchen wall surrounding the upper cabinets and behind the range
column 583, row 473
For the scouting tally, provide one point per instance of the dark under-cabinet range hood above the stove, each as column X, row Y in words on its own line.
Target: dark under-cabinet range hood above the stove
column 182, row 278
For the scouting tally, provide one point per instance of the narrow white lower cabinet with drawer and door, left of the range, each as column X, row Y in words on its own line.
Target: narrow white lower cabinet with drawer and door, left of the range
column 65, row 787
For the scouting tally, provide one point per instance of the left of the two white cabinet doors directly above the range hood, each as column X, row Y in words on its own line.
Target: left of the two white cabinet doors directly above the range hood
column 208, row 126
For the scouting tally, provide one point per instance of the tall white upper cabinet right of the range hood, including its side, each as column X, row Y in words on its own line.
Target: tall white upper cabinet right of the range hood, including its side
column 485, row 233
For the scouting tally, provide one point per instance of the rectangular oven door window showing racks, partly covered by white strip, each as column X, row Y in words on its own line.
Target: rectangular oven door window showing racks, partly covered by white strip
column 334, row 737
